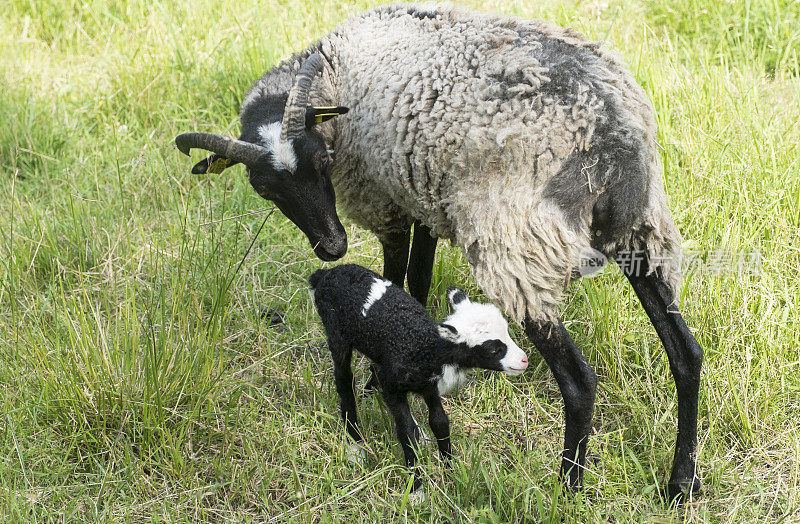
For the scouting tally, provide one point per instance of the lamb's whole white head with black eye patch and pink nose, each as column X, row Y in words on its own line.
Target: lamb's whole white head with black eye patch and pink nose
column 484, row 331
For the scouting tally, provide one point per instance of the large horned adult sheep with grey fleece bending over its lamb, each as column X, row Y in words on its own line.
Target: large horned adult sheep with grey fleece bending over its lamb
column 524, row 143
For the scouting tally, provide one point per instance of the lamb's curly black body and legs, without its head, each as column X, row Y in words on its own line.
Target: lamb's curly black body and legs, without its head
column 412, row 365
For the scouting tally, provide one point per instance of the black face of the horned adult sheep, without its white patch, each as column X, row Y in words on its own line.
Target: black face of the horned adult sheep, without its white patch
column 305, row 196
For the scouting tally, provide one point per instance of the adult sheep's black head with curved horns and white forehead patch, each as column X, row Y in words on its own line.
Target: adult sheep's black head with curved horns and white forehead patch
column 286, row 159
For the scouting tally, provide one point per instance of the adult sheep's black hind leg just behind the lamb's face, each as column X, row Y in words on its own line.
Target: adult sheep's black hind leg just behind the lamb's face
column 577, row 382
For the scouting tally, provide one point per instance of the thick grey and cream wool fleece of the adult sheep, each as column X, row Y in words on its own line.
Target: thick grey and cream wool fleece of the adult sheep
column 524, row 143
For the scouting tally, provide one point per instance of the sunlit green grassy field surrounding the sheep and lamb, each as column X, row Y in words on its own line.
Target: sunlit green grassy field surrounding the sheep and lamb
column 139, row 380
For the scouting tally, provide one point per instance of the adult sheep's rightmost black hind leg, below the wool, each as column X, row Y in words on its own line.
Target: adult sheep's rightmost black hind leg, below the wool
column 685, row 360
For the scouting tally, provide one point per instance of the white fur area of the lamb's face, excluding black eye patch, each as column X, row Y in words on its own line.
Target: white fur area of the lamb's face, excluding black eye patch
column 477, row 323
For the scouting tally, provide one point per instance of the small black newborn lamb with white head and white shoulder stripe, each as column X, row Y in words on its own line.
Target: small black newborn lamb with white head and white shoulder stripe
column 411, row 353
